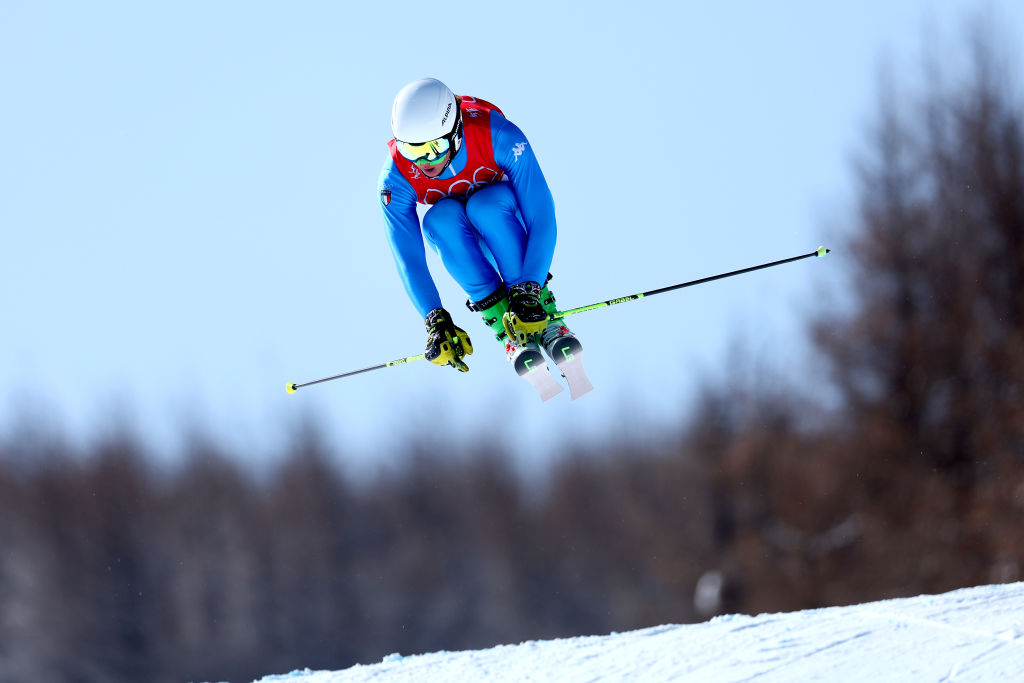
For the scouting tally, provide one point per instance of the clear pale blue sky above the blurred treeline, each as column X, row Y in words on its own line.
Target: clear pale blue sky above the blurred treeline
column 190, row 219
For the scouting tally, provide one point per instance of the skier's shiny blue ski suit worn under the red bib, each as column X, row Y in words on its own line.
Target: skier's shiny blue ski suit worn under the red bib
column 502, row 232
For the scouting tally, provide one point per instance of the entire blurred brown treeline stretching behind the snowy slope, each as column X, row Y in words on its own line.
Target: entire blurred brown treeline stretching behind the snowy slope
column 904, row 475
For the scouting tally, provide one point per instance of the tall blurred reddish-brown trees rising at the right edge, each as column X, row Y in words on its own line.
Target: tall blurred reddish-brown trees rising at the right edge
column 930, row 364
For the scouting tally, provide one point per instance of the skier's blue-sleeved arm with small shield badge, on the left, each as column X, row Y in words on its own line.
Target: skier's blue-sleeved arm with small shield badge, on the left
column 403, row 228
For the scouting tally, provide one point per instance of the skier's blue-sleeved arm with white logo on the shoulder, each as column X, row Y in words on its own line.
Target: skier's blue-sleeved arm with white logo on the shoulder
column 515, row 154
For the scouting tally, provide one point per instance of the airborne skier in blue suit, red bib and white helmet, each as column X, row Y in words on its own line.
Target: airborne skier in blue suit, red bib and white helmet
column 491, row 220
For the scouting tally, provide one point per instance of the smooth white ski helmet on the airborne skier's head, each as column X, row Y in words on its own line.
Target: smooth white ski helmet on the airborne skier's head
column 424, row 111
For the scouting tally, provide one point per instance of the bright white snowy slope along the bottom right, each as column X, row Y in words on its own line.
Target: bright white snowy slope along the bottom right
column 974, row 634
